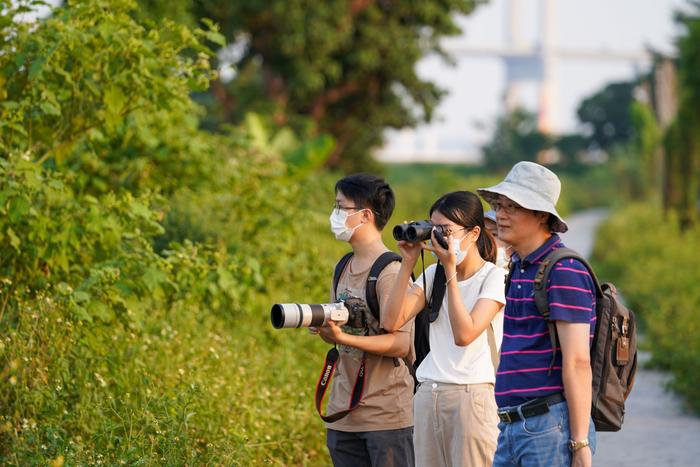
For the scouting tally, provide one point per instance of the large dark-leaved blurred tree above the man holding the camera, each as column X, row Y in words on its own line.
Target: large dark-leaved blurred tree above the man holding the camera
column 350, row 65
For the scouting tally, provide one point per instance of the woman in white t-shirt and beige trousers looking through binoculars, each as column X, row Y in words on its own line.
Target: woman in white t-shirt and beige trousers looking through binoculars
column 455, row 413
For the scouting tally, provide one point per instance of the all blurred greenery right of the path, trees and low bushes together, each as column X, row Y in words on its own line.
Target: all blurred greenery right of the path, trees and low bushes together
column 647, row 247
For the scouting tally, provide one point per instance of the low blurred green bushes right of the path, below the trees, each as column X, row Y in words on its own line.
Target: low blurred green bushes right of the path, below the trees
column 651, row 261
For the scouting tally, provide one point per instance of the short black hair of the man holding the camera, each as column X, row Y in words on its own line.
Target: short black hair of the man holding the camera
column 371, row 192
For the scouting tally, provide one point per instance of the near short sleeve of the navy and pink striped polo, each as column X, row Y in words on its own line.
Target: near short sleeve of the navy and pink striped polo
column 570, row 292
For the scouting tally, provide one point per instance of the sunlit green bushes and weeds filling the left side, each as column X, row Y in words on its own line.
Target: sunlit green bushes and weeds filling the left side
column 115, row 351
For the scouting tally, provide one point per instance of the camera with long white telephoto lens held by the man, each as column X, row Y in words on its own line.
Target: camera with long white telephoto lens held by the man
column 352, row 312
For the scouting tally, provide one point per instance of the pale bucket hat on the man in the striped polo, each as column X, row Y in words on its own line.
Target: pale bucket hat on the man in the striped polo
column 533, row 187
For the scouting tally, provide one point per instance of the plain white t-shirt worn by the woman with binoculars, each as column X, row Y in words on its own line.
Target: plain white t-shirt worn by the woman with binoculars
column 471, row 364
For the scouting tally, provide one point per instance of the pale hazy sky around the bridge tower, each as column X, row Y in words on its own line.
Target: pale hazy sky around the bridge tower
column 464, row 119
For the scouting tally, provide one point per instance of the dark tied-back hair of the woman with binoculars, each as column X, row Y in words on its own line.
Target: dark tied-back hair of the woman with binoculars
column 464, row 208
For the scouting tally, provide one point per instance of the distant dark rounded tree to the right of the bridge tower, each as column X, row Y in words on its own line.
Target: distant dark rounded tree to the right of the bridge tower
column 606, row 114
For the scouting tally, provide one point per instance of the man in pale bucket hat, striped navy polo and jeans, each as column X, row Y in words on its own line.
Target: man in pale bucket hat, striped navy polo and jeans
column 544, row 400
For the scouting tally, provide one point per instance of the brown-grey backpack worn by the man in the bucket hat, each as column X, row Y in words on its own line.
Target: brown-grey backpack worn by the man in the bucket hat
column 614, row 347
